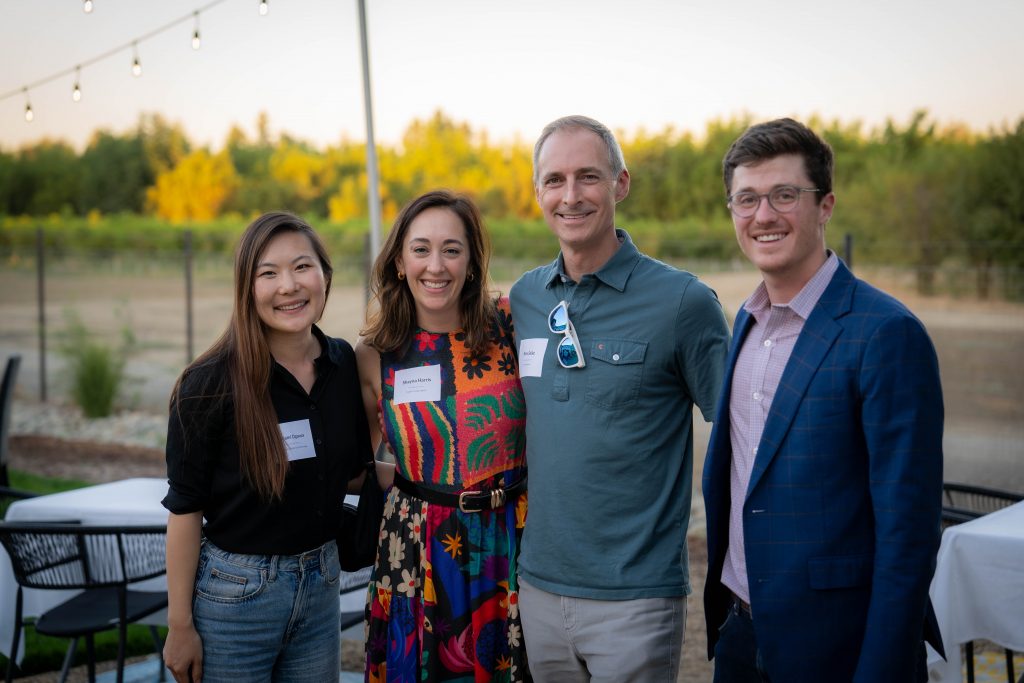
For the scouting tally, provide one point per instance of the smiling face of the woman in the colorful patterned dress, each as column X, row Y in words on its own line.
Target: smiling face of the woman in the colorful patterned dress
column 436, row 261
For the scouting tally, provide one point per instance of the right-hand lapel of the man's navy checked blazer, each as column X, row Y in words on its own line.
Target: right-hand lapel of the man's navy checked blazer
column 818, row 337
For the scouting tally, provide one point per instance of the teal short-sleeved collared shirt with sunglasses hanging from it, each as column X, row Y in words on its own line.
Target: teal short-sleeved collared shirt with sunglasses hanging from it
column 610, row 447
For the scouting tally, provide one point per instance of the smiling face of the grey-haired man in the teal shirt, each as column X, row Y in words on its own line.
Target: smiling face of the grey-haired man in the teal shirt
column 578, row 191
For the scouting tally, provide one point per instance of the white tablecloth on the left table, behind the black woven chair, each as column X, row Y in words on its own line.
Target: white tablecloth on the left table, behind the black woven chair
column 129, row 503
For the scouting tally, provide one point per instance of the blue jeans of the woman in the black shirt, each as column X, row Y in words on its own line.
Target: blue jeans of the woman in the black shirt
column 269, row 618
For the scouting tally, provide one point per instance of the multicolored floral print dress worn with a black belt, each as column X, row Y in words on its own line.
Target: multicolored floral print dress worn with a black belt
column 443, row 604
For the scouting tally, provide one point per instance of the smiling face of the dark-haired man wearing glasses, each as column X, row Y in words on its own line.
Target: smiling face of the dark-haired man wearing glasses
column 787, row 248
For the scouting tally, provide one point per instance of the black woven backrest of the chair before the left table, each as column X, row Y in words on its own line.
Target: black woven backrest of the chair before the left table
column 62, row 556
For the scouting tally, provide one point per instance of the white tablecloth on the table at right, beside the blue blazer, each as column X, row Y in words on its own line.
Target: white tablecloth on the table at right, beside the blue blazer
column 978, row 589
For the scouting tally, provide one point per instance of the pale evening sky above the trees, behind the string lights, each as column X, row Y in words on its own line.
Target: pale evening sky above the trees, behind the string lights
column 509, row 67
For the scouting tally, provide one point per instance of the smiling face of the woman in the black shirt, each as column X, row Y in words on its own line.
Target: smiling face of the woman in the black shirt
column 290, row 289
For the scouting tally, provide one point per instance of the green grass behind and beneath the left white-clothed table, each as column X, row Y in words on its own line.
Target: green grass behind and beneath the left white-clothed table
column 46, row 654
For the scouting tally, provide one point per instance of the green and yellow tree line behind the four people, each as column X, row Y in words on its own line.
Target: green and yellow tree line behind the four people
column 914, row 193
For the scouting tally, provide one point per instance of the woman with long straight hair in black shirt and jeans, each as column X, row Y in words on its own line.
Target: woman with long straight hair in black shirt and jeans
column 266, row 434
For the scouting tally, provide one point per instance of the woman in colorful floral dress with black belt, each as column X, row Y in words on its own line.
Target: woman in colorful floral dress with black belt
column 440, row 375
